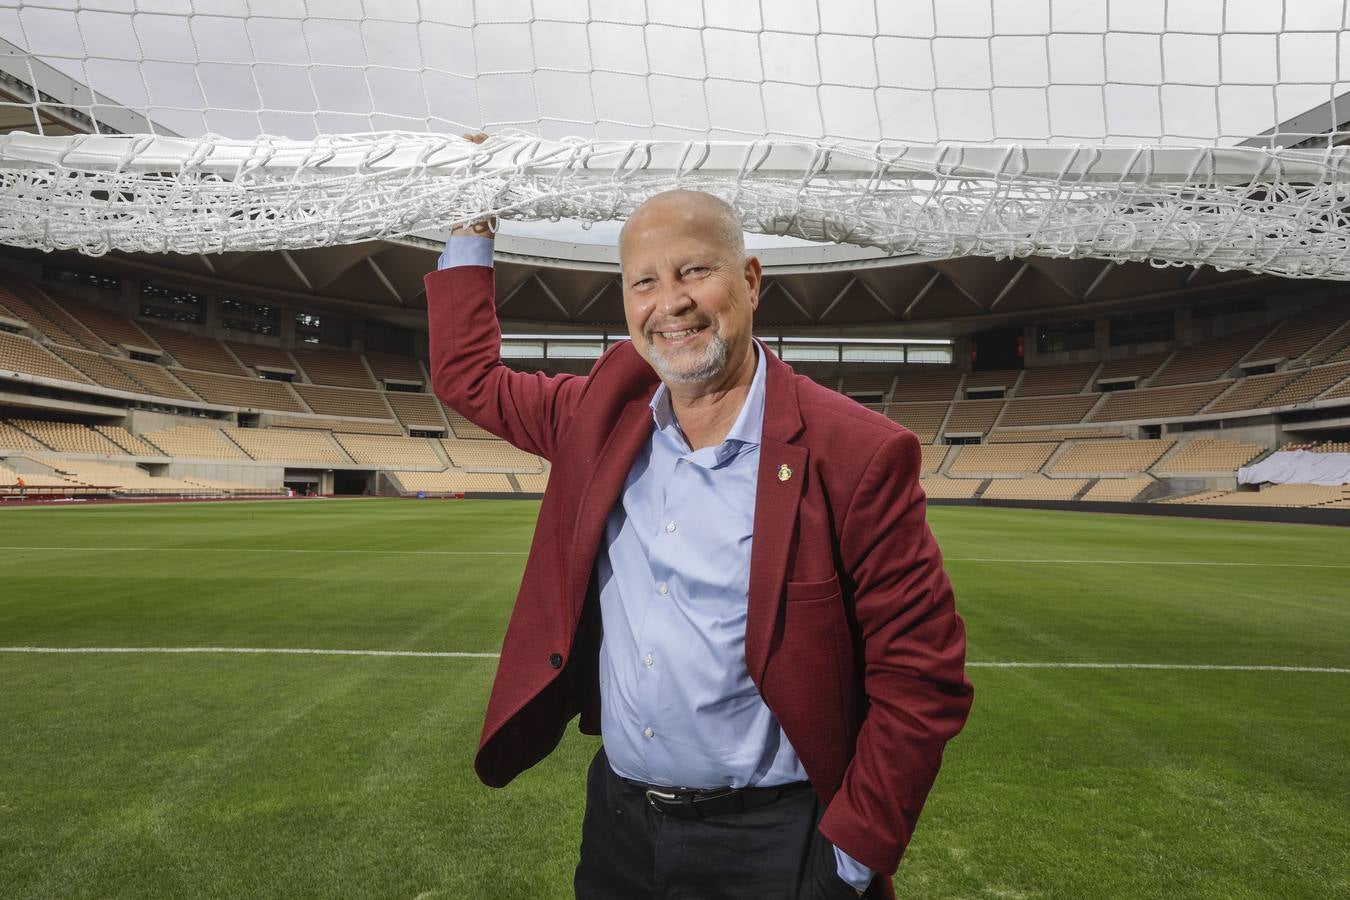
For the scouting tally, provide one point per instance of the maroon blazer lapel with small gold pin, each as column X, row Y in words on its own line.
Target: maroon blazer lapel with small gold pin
column 778, row 492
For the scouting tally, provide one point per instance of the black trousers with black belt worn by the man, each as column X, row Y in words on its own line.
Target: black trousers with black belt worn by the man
column 632, row 852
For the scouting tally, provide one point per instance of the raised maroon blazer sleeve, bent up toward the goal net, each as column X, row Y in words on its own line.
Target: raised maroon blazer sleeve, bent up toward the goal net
column 527, row 410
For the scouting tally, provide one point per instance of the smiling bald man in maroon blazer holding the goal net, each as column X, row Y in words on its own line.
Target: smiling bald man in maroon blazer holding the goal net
column 731, row 581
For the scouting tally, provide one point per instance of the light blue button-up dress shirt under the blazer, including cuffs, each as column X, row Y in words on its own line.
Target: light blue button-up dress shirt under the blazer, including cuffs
column 678, row 706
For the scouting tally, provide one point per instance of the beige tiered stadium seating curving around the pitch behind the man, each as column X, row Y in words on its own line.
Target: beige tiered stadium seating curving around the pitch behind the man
column 1050, row 412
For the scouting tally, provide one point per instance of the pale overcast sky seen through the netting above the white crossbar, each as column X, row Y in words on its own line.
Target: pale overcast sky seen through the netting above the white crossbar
column 923, row 71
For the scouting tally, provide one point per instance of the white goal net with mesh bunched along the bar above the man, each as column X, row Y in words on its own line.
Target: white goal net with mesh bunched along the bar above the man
column 1187, row 133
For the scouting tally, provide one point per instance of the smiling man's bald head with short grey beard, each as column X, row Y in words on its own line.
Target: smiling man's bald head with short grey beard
column 688, row 299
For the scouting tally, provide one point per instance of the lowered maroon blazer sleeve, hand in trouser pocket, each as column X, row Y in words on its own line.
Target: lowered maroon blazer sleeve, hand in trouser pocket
column 913, row 660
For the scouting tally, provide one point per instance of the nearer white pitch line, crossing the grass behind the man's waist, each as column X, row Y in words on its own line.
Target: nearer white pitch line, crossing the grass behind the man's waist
column 441, row 655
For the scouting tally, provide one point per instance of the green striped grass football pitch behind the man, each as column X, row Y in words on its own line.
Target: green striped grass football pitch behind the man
column 1181, row 725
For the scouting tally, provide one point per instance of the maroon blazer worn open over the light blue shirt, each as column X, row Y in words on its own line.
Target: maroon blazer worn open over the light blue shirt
column 851, row 635
